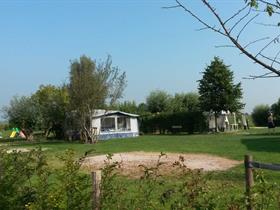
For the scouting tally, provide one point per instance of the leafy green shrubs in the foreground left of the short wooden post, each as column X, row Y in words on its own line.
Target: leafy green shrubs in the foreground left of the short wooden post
column 26, row 182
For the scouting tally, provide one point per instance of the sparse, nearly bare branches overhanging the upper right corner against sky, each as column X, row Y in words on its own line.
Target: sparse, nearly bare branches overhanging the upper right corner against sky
column 234, row 24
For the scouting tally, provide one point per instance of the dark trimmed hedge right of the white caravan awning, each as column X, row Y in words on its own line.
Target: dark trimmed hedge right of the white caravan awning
column 189, row 121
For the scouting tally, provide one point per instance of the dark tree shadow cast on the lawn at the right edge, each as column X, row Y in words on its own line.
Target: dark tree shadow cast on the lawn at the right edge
column 266, row 144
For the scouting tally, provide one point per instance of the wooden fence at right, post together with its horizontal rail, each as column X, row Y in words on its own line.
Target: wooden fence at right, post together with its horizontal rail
column 249, row 164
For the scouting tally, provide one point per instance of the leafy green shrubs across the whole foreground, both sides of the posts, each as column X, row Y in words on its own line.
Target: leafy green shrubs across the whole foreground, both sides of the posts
column 27, row 182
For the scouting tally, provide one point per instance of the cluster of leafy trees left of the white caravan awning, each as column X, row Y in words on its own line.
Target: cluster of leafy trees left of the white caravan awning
column 62, row 109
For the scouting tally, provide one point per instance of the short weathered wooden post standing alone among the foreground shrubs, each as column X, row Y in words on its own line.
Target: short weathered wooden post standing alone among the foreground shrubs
column 96, row 182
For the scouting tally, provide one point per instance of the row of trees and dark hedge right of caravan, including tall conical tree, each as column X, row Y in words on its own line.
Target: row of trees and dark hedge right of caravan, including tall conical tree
column 216, row 92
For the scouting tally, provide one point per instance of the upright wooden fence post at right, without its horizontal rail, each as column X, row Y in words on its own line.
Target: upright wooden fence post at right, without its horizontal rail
column 249, row 179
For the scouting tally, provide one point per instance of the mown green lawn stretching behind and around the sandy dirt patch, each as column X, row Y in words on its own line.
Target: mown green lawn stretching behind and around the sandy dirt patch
column 257, row 142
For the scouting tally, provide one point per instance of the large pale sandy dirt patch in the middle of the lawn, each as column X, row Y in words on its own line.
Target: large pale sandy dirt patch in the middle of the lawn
column 130, row 162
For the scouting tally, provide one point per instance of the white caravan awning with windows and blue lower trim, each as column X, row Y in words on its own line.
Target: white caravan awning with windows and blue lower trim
column 115, row 124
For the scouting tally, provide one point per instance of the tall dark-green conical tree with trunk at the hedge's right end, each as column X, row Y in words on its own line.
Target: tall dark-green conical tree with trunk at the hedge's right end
column 217, row 89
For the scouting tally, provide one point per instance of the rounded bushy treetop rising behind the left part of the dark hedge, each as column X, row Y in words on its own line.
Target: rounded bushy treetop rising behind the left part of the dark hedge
column 158, row 101
